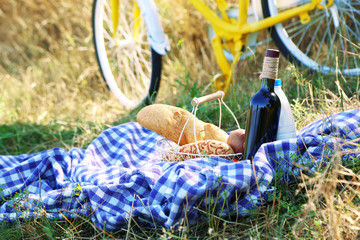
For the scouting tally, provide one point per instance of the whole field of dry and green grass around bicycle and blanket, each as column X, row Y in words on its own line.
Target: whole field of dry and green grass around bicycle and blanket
column 52, row 95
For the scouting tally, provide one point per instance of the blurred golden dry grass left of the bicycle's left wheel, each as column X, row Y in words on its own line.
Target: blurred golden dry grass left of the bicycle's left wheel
column 48, row 69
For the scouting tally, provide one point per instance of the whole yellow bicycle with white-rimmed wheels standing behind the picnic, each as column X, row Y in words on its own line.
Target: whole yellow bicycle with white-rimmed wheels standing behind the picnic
column 129, row 39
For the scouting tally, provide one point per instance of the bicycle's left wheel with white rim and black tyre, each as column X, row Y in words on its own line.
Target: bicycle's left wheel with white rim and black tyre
column 130, row 68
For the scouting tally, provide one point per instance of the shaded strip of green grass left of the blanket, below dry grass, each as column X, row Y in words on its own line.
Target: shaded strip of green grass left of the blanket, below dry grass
column 19, row 137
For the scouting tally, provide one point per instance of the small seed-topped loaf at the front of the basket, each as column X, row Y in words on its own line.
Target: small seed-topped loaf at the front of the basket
column 205, row 147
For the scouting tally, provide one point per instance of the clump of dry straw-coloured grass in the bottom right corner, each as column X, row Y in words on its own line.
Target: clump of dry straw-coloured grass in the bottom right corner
column 332, row 211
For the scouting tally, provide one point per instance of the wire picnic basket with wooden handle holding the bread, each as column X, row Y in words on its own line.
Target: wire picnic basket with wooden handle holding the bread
column 169, row 151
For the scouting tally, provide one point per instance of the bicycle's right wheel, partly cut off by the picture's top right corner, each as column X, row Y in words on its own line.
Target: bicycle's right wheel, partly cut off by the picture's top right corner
column 329, row 43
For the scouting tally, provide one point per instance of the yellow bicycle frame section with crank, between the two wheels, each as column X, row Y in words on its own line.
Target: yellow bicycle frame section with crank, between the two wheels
column 237, row 33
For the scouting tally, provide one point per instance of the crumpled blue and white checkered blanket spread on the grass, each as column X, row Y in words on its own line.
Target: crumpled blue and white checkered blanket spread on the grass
column 120, row 175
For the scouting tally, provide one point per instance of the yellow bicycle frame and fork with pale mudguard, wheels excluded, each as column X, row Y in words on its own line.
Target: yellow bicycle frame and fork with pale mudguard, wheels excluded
column 233, row 33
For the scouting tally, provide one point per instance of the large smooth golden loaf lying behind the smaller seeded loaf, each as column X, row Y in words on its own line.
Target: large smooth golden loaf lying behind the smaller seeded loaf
column 169, row 121
